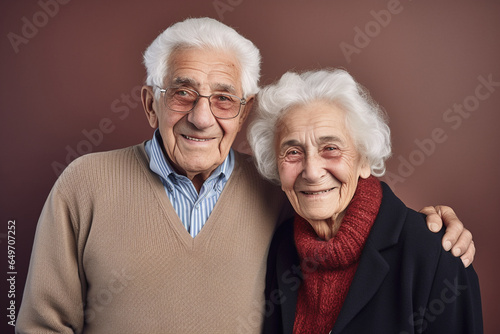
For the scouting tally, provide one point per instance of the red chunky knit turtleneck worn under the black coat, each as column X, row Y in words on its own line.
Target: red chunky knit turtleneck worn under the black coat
column 329, row 266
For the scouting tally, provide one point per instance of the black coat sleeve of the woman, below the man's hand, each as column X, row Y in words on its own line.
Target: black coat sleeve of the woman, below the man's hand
column 455, row 303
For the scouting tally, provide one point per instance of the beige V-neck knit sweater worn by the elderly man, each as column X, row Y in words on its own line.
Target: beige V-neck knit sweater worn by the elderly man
column 111, row 255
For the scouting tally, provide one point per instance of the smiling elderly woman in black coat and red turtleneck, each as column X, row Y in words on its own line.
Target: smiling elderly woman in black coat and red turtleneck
column 354, row 259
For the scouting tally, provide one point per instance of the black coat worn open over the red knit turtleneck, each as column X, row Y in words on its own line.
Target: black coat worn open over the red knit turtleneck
column 405, row 281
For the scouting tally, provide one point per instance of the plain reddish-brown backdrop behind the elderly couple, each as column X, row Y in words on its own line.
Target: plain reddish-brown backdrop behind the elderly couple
column 81, row 69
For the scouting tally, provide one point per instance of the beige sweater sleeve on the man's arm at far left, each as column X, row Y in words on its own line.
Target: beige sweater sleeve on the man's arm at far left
column 52, row 300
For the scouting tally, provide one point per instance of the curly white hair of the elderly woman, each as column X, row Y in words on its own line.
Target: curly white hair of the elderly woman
column 365, row 120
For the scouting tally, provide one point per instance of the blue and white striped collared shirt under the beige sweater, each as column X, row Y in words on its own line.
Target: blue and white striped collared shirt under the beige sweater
column 192, row 208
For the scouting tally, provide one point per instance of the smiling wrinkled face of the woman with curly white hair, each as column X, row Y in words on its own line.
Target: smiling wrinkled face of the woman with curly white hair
column 318, row 163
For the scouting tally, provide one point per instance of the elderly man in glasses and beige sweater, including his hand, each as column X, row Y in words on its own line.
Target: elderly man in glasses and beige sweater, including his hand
column 169, row 236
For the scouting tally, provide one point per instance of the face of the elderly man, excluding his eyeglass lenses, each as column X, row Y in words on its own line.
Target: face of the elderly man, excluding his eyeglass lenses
column 196, row 143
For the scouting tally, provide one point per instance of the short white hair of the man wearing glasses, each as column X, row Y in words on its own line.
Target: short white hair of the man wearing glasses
column 202, row 33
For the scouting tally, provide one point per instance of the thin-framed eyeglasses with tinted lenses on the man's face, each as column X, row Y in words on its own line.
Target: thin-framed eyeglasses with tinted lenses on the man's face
column 223, row 106
